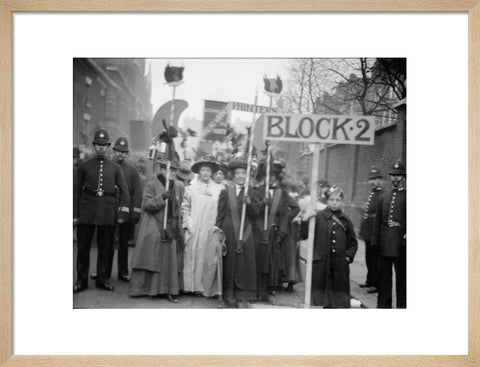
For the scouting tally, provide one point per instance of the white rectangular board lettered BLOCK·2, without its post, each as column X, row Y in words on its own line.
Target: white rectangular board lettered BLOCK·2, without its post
column 359, row 130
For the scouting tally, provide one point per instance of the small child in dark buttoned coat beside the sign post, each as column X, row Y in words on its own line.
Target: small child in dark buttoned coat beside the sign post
column 334, row 248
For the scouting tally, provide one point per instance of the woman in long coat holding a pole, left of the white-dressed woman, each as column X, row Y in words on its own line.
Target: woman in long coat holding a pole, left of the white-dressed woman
column 155, row 264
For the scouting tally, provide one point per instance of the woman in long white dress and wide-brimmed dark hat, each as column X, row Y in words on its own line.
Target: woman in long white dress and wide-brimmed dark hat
column 199, row 211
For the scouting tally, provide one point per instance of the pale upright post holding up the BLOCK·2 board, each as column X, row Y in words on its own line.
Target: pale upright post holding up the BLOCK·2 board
column 311, row 225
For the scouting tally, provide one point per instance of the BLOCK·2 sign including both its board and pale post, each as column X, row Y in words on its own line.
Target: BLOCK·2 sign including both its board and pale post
column 357, row 130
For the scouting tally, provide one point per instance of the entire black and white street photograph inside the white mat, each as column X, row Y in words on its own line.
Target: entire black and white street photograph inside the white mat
column 209, row 183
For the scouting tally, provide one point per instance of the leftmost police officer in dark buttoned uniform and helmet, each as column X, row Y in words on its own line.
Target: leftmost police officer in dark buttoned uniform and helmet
column 95, row 207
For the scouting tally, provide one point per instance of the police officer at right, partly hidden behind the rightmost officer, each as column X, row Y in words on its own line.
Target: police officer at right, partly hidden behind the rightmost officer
column 366, row 227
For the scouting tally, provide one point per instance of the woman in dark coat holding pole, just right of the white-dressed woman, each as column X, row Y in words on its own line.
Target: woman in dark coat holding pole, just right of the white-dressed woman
column 239, row 267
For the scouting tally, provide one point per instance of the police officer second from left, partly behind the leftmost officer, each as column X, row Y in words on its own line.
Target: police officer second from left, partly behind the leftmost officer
column 126, row 230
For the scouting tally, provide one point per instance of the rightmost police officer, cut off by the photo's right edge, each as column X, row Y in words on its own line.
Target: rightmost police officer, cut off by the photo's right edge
column 390, row 235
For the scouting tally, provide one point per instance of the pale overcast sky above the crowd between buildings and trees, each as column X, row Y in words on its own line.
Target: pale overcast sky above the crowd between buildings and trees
column 215, row 79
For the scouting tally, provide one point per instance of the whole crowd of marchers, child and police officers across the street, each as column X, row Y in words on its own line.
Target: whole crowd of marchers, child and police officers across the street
column 201, row 228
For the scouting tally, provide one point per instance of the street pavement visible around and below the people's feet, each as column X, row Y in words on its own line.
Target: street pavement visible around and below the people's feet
column 97, row 298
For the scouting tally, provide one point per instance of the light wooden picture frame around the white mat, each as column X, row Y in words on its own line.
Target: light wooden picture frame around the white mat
column 8, row 7
